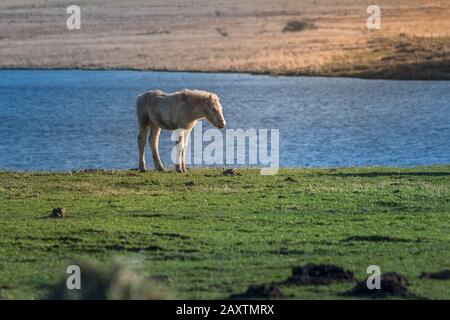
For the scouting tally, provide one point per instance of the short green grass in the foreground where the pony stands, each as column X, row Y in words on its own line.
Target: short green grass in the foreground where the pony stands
column 224, row 233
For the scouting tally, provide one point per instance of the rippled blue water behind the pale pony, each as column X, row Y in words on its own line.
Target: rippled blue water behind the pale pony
column 64, row 120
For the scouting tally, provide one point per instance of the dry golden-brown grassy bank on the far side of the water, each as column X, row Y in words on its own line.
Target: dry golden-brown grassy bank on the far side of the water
column 231, row 36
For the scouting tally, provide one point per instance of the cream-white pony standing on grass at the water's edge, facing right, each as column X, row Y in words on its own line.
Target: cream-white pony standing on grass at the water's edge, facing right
column 157, row 110
